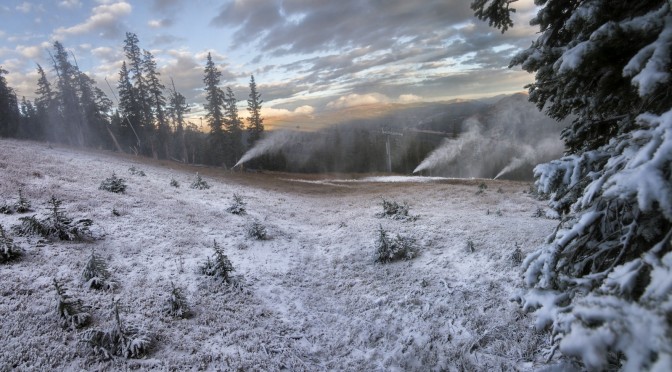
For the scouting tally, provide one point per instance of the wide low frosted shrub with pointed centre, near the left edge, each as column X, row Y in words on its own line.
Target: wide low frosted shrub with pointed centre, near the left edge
column 56, row 225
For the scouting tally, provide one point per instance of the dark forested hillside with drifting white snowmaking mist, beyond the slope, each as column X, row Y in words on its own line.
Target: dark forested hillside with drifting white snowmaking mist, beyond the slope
column 505, row 138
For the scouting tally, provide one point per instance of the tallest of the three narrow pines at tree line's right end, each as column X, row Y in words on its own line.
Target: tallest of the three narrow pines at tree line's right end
column 214, row 102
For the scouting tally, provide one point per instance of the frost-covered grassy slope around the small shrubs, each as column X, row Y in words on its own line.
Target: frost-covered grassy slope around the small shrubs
column 312, row 297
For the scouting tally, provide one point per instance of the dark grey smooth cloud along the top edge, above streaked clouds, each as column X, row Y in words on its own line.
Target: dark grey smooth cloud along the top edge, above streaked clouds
column 300, row 27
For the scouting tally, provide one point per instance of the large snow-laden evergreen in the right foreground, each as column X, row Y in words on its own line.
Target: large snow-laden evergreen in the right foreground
column 603, row 280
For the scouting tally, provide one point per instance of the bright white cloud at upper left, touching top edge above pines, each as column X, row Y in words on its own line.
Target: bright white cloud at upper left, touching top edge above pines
column 103, row 20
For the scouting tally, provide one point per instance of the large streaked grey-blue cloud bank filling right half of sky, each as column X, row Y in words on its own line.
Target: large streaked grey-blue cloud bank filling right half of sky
column 355, row 47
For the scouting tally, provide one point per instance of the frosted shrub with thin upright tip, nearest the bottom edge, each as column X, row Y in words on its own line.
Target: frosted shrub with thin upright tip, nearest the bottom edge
column 117, row 340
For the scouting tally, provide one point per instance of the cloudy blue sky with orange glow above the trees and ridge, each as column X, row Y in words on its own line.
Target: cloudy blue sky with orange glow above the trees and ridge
column 310, row 58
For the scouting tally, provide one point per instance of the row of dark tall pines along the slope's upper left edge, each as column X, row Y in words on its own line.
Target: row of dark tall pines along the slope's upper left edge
column 149, row 119
